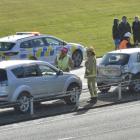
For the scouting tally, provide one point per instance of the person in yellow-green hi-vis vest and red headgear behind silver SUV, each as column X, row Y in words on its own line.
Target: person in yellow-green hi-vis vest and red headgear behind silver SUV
column 63, row 61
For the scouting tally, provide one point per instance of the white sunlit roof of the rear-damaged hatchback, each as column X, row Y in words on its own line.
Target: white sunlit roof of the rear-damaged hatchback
column 126, row 51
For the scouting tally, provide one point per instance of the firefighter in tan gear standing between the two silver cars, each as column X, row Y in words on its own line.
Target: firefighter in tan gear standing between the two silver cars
column 90, row 74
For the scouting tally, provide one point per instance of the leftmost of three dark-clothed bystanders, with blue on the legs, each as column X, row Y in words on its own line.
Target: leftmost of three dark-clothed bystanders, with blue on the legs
column 115, row 33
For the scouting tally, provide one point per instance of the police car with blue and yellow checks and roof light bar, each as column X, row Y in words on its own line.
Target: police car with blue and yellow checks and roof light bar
column 44, row 47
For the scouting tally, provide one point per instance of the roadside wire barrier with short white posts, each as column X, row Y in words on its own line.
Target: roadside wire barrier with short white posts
column 75, row 94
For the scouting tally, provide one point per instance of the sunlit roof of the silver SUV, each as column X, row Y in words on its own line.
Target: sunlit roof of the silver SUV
column 14, row 63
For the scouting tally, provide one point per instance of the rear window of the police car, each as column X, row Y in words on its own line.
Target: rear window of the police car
column 6, row 46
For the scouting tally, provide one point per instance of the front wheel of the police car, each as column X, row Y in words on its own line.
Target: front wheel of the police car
column 77, row 58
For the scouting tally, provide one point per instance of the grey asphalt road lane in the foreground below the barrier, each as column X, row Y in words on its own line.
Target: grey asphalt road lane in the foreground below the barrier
column 120, row 122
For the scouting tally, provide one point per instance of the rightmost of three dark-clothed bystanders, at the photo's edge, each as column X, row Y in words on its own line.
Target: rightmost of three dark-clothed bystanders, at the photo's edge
column 136, row 30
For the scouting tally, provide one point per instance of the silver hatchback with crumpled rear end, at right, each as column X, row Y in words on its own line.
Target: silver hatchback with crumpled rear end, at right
column 120, row 66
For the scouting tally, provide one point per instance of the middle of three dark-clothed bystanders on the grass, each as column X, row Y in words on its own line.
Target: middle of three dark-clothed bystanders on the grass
column 124, row 27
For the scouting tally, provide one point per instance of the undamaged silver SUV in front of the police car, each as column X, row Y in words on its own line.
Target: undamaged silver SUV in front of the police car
column 21, row 79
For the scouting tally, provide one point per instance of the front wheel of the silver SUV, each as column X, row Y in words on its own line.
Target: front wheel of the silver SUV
column 72, row 99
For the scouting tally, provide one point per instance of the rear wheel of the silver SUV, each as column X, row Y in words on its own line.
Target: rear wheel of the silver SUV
column 23, row 103
